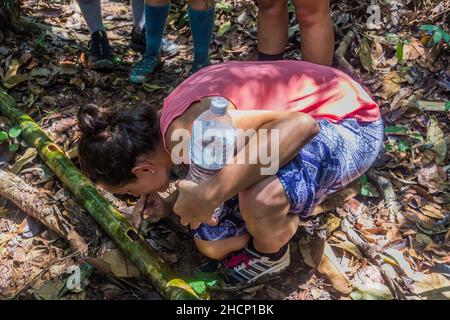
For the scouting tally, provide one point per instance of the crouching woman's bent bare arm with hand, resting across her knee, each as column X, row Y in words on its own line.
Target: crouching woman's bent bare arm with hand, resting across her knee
column 196, row 202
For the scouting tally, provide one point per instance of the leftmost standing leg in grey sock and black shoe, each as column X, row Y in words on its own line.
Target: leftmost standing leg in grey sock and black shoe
column 100, row 56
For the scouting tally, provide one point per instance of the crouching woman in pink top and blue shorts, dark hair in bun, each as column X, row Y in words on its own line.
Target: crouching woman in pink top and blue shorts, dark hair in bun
column 329, row 133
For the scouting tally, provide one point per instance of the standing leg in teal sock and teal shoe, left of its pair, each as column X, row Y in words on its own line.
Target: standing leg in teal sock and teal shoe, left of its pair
column 156, row 13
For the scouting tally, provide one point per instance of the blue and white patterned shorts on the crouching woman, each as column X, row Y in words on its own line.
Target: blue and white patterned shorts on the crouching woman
column 339, row 154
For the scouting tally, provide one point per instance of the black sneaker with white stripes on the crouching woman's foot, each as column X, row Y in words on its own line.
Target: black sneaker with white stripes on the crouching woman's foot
column 246, row 267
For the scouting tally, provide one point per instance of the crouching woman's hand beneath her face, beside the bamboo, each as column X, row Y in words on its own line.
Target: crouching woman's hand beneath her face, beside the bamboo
column 155, row 208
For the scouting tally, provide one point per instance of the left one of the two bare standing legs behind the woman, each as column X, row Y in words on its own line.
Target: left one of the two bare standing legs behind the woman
column 272, row 29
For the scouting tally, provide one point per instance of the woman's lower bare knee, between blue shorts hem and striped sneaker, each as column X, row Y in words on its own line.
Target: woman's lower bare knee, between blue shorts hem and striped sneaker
column 219, row 249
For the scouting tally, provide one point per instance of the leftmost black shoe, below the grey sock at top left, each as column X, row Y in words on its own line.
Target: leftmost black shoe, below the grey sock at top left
column 100, row 56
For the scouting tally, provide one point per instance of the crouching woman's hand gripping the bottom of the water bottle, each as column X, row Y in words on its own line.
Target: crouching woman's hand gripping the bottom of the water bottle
column 193, row 205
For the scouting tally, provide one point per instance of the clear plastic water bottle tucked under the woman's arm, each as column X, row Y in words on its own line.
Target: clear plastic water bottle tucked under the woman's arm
column 213, row 143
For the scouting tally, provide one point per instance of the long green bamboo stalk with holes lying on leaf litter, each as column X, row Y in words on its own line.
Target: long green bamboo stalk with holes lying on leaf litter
column 168, row 283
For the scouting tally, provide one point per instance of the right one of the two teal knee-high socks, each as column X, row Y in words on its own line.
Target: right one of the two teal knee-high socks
column 202, row 24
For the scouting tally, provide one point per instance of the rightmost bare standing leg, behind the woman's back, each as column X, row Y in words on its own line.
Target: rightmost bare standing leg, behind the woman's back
column 316, row 30
